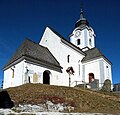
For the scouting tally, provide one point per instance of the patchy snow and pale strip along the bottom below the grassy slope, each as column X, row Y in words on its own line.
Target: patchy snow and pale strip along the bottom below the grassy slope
column 48, row 108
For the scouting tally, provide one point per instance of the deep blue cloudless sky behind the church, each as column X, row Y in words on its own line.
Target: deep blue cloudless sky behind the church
column 20, row 19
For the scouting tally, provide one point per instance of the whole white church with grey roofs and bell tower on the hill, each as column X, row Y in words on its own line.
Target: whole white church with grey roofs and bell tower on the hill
column 57, row 61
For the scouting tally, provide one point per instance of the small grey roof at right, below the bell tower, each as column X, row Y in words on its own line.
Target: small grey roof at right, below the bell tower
column 93, row 54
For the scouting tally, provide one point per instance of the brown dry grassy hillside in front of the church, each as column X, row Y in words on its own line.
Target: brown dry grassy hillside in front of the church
column 82, row 100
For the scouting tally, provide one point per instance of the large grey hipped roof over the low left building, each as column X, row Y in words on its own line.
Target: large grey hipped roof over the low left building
column 34, row 52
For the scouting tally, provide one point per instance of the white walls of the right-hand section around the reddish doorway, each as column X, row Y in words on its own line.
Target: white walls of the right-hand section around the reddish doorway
column 98, row 67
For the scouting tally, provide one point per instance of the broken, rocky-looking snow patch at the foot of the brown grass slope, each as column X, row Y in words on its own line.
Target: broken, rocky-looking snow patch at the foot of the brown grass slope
column 48, row 106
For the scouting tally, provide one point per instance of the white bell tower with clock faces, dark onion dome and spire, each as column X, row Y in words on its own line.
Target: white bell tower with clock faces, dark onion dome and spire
column 83, row 35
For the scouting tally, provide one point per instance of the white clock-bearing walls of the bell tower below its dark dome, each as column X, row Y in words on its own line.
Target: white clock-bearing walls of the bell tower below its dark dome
column 83, row 37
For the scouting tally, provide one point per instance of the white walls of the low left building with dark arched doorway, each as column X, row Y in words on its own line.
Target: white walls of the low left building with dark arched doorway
column 33, row 75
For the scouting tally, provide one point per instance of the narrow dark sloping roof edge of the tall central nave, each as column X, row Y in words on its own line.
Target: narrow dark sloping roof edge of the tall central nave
column 65, row 41
